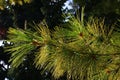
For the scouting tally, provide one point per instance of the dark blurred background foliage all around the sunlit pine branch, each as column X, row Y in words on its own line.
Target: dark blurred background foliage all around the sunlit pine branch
column 24, row 13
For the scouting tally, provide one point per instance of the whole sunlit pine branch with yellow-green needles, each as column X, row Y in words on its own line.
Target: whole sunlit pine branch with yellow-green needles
column 83, row 52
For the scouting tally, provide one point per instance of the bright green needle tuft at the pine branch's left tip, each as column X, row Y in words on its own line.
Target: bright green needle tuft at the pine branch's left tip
column 21, row 47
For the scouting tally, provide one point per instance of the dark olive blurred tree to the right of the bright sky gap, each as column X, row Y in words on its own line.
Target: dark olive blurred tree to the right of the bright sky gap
column 107, row 9
